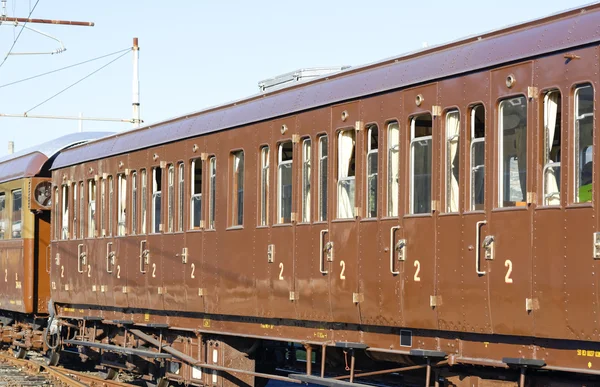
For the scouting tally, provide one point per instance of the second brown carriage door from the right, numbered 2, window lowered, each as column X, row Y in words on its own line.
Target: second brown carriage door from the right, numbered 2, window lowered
column 418, row 225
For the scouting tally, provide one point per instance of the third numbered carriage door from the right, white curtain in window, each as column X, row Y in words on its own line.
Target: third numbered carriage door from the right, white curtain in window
column 341, row 250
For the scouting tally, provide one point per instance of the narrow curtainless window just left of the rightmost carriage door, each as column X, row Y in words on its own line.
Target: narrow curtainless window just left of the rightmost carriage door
column 477, row 157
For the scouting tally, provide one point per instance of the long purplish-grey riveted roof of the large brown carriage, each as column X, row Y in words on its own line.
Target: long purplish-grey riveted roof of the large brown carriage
column 566, row 30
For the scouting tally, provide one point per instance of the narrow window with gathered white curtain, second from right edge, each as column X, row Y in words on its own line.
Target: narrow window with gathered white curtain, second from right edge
column 551, row 165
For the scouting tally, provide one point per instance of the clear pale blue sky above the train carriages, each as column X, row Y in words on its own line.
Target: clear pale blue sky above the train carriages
column 196, row 54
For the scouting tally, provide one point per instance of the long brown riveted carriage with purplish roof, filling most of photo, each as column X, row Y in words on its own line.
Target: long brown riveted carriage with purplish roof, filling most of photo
column 414, row 210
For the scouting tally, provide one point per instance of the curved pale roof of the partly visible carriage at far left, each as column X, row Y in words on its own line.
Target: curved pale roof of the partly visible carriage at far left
column 31, row 161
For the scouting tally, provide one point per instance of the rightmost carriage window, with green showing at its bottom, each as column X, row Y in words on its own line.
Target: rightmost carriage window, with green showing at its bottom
column 584, row 143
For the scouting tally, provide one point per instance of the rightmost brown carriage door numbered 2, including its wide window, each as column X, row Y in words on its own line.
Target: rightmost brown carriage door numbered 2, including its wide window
column 507, row 242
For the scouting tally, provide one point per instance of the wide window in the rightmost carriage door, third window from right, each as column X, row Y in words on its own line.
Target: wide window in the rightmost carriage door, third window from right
column 512, row 184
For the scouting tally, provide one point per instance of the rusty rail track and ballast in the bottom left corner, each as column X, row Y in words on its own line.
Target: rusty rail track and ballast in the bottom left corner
column 34, row 372
